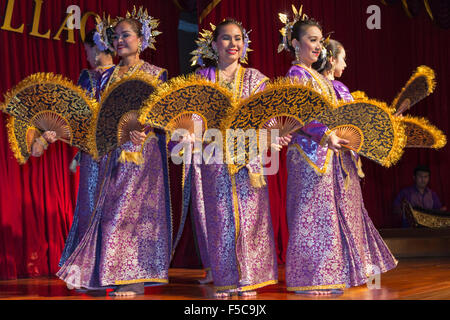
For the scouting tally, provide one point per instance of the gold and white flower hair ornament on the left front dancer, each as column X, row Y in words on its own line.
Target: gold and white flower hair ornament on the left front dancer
column 149, row 25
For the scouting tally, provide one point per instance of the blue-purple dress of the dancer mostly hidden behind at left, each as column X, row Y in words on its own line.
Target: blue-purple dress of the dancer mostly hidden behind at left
column 93, row 82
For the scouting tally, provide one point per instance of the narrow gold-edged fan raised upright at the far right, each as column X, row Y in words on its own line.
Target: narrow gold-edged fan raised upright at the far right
column 420, row 85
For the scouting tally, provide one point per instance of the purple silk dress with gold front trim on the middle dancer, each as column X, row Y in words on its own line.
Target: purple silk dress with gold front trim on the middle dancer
column 240, row 244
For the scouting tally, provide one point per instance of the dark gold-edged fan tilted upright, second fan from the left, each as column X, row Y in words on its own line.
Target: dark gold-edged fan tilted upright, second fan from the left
column 120, row 105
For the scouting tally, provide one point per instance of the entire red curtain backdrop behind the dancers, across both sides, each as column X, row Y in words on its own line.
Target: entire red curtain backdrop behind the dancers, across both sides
column 37, row 200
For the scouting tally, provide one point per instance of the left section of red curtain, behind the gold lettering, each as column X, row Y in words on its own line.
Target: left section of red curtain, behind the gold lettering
column 37, row 200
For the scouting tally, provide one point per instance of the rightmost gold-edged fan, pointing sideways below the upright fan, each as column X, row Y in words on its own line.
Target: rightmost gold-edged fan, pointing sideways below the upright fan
column 421, row 134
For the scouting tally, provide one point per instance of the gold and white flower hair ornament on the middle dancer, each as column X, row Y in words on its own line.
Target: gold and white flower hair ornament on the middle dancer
column 205, row 50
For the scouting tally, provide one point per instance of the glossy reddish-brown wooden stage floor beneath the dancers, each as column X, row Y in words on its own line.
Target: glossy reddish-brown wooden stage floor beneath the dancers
column 413, row 279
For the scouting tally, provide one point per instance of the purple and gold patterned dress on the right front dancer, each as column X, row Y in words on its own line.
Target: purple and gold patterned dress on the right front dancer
column 333, row 244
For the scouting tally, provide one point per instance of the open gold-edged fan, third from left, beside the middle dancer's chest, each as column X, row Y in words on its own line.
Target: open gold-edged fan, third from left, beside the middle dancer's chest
column 178, row 103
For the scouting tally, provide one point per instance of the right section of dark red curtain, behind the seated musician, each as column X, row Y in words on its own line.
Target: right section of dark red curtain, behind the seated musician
column 379, row 63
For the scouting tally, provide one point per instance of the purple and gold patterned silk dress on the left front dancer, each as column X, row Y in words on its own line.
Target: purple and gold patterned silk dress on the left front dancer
column 129, row 237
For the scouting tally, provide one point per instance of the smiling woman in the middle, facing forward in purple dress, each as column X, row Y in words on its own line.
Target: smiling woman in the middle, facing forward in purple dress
column 240, row 247
